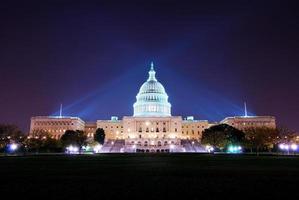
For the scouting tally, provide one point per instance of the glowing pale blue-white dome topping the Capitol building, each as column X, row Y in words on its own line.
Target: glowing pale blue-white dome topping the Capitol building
column 152, row 100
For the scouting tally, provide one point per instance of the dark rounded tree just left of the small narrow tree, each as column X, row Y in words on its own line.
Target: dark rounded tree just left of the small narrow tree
column 71, row 137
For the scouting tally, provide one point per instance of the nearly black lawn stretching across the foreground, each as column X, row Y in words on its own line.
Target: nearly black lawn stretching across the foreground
column 110, row 176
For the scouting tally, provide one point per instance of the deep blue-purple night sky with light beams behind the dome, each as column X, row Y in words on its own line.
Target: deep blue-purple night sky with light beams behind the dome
column 93, row 56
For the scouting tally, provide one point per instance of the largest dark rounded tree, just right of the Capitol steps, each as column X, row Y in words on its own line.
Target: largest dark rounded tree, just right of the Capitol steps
column 222, row 135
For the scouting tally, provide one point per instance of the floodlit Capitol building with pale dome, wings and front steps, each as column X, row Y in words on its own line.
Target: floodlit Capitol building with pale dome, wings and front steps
column 152, row 128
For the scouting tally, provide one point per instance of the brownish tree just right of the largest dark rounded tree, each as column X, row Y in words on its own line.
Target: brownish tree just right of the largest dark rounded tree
column 260, row 138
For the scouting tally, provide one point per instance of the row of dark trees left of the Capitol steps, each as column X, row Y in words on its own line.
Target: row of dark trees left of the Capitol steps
column 42, row 142
